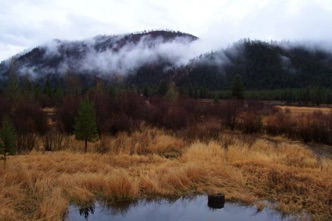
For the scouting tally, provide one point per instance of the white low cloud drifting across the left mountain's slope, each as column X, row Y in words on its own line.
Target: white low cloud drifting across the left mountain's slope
column 111, row 58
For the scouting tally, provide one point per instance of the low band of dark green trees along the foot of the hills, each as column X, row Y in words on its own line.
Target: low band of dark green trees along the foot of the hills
column 73, row 84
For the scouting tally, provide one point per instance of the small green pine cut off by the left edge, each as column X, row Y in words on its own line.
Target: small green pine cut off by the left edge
column 8, row 138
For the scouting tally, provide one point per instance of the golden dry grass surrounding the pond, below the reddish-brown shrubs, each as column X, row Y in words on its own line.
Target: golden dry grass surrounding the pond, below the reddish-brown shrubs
column 148, row 164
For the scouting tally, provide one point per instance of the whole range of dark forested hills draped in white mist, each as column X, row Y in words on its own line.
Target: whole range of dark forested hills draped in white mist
column 147, row 60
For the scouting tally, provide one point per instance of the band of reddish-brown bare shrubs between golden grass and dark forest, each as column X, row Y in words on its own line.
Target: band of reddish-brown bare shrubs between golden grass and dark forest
column 128, row 111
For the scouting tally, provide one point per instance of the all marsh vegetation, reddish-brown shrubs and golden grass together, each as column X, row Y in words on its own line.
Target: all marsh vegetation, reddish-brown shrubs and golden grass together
column 153, row 147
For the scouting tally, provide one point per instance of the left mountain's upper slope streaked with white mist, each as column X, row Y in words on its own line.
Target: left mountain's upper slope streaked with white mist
column 102, row 56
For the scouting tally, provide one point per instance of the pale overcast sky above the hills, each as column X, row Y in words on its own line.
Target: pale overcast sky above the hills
column 25, row 24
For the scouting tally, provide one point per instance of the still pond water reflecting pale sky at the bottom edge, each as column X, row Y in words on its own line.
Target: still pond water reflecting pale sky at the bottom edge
column 183, row 209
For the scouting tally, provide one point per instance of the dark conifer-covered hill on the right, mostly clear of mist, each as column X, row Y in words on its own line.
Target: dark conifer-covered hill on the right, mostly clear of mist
column 263, row 67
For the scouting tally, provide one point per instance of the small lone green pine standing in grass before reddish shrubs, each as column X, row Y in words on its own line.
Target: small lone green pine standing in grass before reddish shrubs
column 85, row 127
